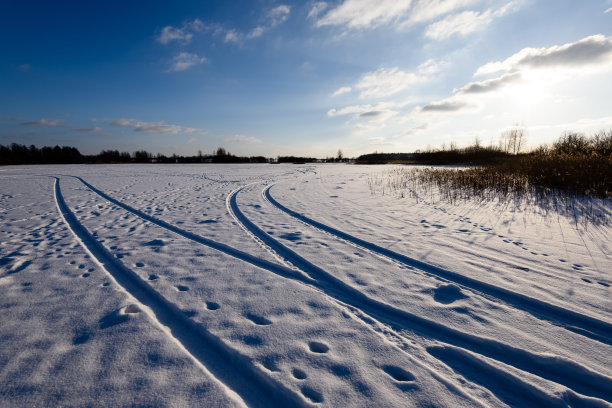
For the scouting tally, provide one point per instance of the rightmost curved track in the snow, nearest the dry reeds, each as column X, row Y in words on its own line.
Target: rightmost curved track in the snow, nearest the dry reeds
column 585, row 325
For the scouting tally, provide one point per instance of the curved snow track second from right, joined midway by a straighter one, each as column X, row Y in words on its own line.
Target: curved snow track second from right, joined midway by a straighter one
column 552, row 368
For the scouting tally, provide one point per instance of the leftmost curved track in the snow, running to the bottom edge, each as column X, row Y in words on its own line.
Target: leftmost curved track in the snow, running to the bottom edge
column 244, row 381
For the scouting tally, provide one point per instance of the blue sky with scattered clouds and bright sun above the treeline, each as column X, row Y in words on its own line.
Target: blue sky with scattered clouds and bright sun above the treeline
column 305, row 78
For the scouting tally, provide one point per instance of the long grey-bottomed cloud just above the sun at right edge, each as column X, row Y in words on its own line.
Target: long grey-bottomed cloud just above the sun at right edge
column 589, row 50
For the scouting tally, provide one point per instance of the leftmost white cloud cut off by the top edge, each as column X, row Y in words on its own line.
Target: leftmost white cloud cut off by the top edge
column 365, row 13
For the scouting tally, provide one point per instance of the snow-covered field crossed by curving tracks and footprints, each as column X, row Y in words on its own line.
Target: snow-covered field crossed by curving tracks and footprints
column 290, row 285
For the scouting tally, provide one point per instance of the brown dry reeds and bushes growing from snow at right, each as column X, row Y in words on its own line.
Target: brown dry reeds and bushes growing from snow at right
column 573, row 178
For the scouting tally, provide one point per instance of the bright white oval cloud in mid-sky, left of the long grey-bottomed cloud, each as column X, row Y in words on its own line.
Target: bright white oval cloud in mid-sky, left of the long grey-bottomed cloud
column 383, row 82
